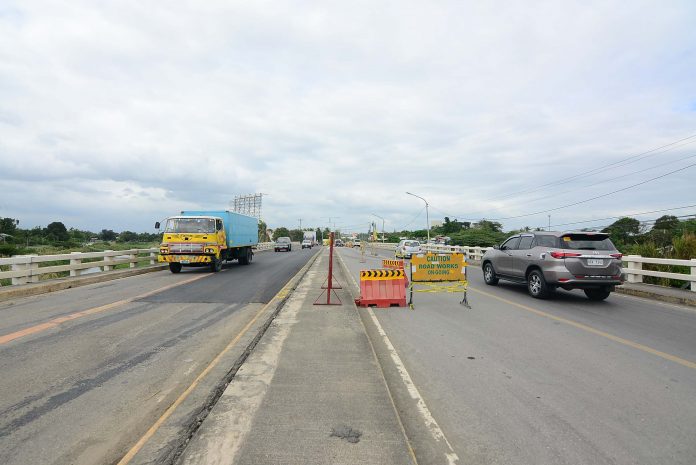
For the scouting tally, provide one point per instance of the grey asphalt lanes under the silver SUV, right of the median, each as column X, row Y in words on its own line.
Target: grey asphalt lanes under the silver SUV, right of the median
column 516, row 380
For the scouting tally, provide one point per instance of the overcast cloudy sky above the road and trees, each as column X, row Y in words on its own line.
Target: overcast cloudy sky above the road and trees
column 114, row 115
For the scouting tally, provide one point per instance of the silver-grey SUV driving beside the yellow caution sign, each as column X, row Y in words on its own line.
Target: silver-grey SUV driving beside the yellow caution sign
column 548, row 260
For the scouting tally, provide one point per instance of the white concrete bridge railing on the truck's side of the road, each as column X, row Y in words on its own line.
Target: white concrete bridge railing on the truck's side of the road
column 25, row 269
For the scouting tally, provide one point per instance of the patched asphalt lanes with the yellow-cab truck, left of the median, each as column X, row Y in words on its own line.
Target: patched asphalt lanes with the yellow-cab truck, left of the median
column 86, row 371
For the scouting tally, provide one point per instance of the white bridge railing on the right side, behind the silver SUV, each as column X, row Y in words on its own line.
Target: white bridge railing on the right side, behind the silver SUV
column 633, row 264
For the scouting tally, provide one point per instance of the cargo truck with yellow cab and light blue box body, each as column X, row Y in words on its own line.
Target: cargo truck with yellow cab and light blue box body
column 207, row 238
